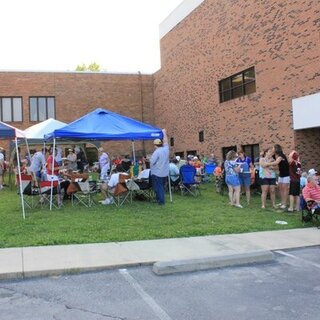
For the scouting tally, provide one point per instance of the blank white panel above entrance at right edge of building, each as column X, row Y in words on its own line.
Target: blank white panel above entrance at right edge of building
column 306, row 112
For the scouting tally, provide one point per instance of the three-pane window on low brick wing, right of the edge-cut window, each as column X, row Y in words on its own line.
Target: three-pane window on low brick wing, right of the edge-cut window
column 42, row 108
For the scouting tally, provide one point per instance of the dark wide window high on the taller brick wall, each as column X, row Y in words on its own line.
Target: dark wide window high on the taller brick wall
column 238, row 85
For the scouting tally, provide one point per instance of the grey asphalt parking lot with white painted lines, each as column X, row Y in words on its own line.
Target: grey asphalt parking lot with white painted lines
column 288, row 288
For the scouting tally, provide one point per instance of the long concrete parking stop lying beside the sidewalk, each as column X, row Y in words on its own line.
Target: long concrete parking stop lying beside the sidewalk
column 206, row 263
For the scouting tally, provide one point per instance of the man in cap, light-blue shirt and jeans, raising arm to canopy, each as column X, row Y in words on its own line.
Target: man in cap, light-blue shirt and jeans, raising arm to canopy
column 159, row 165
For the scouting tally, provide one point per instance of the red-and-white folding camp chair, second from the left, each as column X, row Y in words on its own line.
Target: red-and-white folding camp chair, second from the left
column 45, row 194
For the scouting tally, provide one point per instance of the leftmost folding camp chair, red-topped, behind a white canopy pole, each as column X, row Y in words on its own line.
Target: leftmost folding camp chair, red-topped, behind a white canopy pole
column 29, row 190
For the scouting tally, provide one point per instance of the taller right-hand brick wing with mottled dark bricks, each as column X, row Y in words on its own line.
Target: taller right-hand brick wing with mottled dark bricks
column 230, row 70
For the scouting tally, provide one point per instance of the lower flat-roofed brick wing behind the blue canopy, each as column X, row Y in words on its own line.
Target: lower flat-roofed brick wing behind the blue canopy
column 29, row 97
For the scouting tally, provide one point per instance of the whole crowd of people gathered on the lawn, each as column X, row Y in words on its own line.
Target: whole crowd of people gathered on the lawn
column 273, row 171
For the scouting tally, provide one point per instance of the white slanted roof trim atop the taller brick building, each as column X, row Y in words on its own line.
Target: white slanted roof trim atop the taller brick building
column 177, row 15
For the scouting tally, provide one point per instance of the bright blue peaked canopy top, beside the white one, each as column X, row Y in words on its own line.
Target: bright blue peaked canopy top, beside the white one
column 102, row 124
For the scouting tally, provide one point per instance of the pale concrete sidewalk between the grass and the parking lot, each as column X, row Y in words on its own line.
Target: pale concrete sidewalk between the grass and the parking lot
column 54, row 260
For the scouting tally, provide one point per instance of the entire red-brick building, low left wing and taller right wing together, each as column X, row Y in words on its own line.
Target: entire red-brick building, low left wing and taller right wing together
column 231, row 72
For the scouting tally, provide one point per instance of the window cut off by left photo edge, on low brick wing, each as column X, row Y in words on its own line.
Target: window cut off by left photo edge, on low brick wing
column 11, row 109
